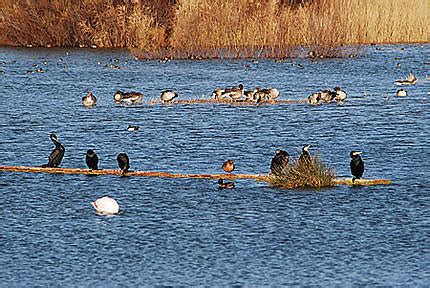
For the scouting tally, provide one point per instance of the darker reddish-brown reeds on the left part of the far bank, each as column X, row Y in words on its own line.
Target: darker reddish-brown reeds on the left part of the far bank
column 48, row 23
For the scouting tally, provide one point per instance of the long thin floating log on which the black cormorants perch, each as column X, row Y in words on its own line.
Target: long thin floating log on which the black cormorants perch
column 30, row 169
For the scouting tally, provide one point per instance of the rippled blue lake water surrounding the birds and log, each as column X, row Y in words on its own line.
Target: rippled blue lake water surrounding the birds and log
column 185, row 231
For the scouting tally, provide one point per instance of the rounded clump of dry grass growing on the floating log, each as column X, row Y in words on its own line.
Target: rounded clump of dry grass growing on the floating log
column 297, row 174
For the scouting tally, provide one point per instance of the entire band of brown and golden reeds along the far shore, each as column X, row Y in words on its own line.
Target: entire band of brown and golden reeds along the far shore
column 215, row 28
